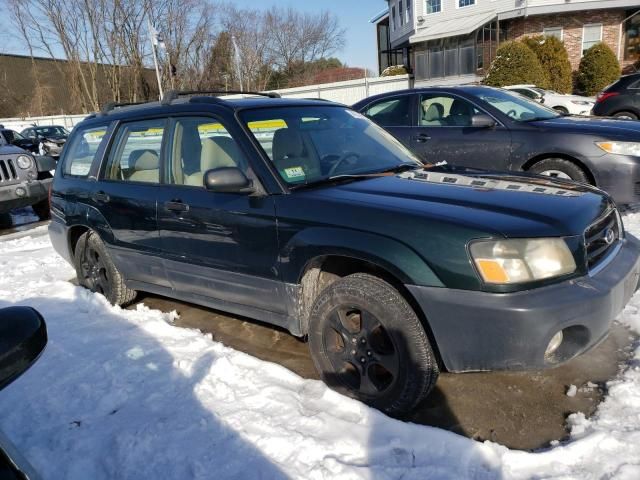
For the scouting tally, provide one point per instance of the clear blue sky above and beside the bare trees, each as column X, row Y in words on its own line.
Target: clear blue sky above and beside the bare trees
column 359, row 50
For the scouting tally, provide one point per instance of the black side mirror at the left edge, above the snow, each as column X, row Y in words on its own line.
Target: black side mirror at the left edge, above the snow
column 23, row 336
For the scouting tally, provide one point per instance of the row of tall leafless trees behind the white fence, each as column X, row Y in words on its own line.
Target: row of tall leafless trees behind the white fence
column 107, row 53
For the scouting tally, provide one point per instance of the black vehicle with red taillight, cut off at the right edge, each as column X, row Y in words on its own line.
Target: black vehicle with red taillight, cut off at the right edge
column 620, row 99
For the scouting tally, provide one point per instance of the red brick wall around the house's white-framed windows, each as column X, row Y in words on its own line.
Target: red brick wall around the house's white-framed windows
column 571, row 24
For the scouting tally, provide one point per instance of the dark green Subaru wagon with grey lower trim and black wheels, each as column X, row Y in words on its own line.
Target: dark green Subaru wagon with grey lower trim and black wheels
column 306, row 215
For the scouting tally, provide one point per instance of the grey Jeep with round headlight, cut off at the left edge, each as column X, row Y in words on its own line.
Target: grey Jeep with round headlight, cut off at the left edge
column 24, row 180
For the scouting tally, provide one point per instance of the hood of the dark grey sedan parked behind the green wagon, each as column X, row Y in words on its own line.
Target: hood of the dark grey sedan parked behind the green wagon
column 599, row 126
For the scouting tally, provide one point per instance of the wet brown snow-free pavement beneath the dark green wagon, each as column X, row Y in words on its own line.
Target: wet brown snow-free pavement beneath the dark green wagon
column 520, row 410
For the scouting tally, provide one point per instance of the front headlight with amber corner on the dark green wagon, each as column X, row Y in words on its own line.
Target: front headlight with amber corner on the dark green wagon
column 506, row 262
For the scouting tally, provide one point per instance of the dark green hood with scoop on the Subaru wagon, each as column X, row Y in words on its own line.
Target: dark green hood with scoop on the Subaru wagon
column 493, row 202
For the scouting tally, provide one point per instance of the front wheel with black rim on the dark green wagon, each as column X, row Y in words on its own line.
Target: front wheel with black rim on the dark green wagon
column 367, row 343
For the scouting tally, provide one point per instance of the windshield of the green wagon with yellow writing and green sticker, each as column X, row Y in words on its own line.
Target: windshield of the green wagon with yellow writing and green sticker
column 311, row 144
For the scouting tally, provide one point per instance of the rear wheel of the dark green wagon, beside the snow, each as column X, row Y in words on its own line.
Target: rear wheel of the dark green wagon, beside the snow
column 95, row 271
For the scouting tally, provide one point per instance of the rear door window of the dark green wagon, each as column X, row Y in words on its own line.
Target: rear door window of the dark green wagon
column 136, row 153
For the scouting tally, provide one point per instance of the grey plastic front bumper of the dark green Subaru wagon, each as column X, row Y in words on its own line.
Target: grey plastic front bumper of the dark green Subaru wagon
column 488, row 331
